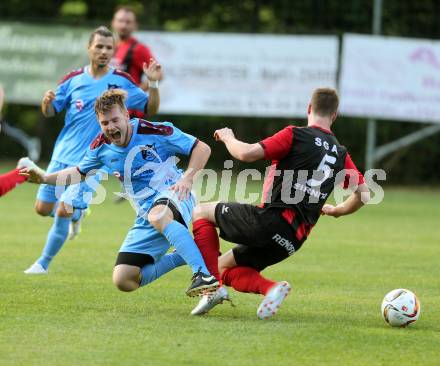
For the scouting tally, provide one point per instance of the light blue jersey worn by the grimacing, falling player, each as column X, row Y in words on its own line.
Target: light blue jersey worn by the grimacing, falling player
column 147, row 166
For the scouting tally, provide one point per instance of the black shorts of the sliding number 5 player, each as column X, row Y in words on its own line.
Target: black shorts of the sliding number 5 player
column 263, row 236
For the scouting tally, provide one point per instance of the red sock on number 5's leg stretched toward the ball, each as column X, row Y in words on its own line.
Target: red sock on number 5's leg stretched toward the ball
column 246, row 279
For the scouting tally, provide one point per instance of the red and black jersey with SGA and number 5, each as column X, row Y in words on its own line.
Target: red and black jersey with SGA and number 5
column 307, row 162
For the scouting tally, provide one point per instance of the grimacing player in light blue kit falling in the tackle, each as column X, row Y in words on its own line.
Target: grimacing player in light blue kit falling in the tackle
column 142, row 155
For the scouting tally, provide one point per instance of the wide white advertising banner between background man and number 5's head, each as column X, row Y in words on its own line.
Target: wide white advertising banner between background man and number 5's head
column 241, row 75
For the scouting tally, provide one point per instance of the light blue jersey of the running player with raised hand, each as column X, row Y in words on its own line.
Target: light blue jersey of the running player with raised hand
column 77, row 93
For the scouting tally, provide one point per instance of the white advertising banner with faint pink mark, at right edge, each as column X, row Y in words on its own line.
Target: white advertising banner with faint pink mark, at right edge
column 390, row 78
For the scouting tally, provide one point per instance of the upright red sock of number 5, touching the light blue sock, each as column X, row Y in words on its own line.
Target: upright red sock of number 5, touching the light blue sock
column 206, row 238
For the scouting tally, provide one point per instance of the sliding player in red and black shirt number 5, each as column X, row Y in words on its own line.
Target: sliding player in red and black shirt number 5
column 307, row 162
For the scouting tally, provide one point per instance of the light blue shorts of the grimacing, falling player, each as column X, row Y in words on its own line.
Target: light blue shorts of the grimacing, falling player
column 143, row 238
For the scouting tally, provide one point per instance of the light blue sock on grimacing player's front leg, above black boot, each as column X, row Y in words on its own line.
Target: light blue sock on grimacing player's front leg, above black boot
column 180, row 238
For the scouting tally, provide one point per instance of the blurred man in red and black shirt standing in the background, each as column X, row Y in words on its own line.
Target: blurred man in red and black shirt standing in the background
column 130, row 54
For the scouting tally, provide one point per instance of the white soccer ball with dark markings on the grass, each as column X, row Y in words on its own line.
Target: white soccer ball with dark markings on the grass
column 400, row 307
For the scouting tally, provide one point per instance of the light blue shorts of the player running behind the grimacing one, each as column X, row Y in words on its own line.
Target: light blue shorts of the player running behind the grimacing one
column 76, row 195
